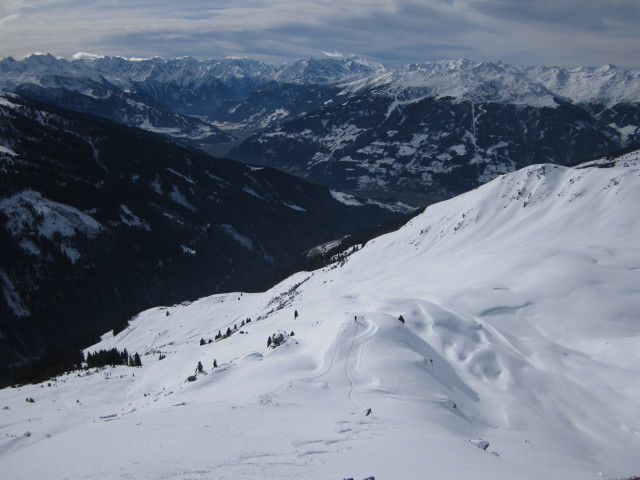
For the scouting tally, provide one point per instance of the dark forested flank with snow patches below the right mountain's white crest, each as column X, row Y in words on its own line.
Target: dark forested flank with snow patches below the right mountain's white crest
column 438, row 147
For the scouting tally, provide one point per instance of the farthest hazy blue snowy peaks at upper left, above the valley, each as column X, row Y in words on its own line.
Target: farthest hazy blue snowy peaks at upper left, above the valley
column 182, row 85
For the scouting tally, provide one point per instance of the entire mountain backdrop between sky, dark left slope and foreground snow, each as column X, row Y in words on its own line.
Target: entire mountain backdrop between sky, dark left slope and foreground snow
column 422, row 131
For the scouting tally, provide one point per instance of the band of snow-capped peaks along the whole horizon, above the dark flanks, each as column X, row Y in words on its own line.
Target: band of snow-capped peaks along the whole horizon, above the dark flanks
column 460, row 79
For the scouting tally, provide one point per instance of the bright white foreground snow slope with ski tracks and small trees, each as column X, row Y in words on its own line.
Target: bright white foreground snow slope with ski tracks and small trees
column 521, row 302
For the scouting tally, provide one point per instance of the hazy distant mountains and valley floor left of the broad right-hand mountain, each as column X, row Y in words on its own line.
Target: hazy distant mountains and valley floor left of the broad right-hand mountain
column 172, row 97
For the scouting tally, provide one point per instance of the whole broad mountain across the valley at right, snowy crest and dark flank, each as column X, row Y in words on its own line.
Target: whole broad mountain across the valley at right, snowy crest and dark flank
column 442, row 128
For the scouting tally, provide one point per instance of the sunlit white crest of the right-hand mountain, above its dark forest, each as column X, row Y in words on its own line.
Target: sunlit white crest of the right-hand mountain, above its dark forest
column 500, row 82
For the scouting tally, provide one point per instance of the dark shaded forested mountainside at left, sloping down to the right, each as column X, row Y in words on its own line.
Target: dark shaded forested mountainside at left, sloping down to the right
column 99, row 220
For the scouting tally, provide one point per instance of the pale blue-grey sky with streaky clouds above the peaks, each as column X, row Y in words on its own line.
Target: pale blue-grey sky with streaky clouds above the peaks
column 546, row 32
